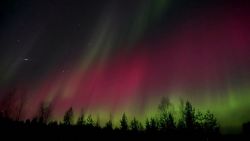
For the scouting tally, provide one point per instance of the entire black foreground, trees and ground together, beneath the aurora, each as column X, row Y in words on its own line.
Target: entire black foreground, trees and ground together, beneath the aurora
column 192, row 127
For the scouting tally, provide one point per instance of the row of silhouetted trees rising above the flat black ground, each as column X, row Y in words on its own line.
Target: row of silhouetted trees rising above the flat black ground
column 190, row 120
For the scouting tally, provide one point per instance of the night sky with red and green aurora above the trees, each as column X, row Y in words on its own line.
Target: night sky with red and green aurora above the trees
column 111, row 56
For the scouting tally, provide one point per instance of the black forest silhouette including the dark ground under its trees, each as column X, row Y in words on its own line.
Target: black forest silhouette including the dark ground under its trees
column 192, row 124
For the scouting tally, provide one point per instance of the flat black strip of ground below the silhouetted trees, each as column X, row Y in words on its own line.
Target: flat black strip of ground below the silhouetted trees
column 79, row 133
